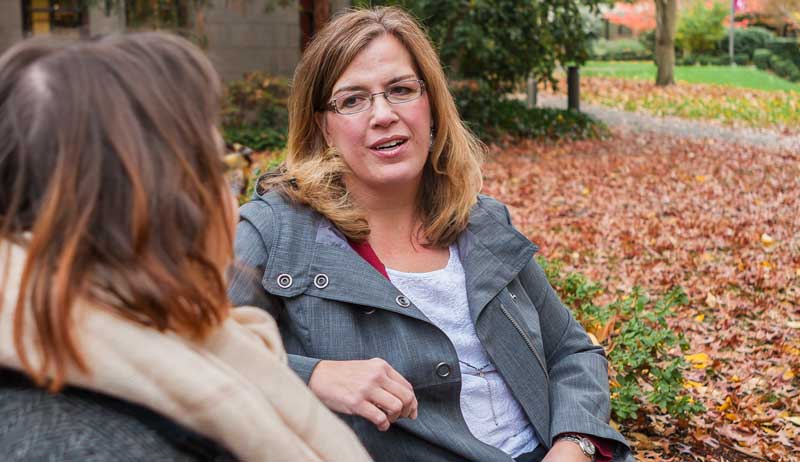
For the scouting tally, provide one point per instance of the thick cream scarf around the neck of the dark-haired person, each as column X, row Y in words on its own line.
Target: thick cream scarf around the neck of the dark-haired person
column 234, row 387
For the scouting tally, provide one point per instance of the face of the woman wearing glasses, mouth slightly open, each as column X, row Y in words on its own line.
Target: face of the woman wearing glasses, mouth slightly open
column 385, row 146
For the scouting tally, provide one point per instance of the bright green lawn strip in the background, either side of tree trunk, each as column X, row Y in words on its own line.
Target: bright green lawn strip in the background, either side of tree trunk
column 738, row 76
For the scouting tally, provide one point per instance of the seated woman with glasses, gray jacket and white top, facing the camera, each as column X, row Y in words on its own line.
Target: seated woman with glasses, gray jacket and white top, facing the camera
column 406, row 300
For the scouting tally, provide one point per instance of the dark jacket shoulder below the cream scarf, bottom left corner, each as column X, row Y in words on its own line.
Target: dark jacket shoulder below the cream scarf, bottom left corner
column 82, row 426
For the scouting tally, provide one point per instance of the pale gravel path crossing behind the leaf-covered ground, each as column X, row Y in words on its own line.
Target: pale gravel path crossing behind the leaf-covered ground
column 639, row 122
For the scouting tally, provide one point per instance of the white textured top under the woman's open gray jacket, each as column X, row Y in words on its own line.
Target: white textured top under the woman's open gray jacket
column 492, row 413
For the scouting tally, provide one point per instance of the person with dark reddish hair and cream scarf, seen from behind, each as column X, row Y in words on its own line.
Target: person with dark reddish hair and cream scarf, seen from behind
column 116, row 228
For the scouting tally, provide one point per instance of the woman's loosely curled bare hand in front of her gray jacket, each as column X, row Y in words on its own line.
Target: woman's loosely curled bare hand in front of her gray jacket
column 368, row 388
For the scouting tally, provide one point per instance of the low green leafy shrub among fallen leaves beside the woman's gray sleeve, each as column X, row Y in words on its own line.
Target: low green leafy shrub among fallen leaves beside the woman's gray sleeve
column 644, row 353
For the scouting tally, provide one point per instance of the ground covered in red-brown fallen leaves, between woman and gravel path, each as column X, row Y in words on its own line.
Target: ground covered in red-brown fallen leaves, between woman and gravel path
column 721, row 220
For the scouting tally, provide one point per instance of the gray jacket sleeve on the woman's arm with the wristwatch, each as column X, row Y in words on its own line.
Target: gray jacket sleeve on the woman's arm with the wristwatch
column 578, row 386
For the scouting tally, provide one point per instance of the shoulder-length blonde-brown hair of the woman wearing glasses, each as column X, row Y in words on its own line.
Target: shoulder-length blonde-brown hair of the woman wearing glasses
column 313, row 172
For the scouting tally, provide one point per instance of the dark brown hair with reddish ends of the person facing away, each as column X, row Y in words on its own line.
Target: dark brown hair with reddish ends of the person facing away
column 111, row 177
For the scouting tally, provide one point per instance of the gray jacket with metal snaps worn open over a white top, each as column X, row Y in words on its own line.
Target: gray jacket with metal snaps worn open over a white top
column 331, row 304
